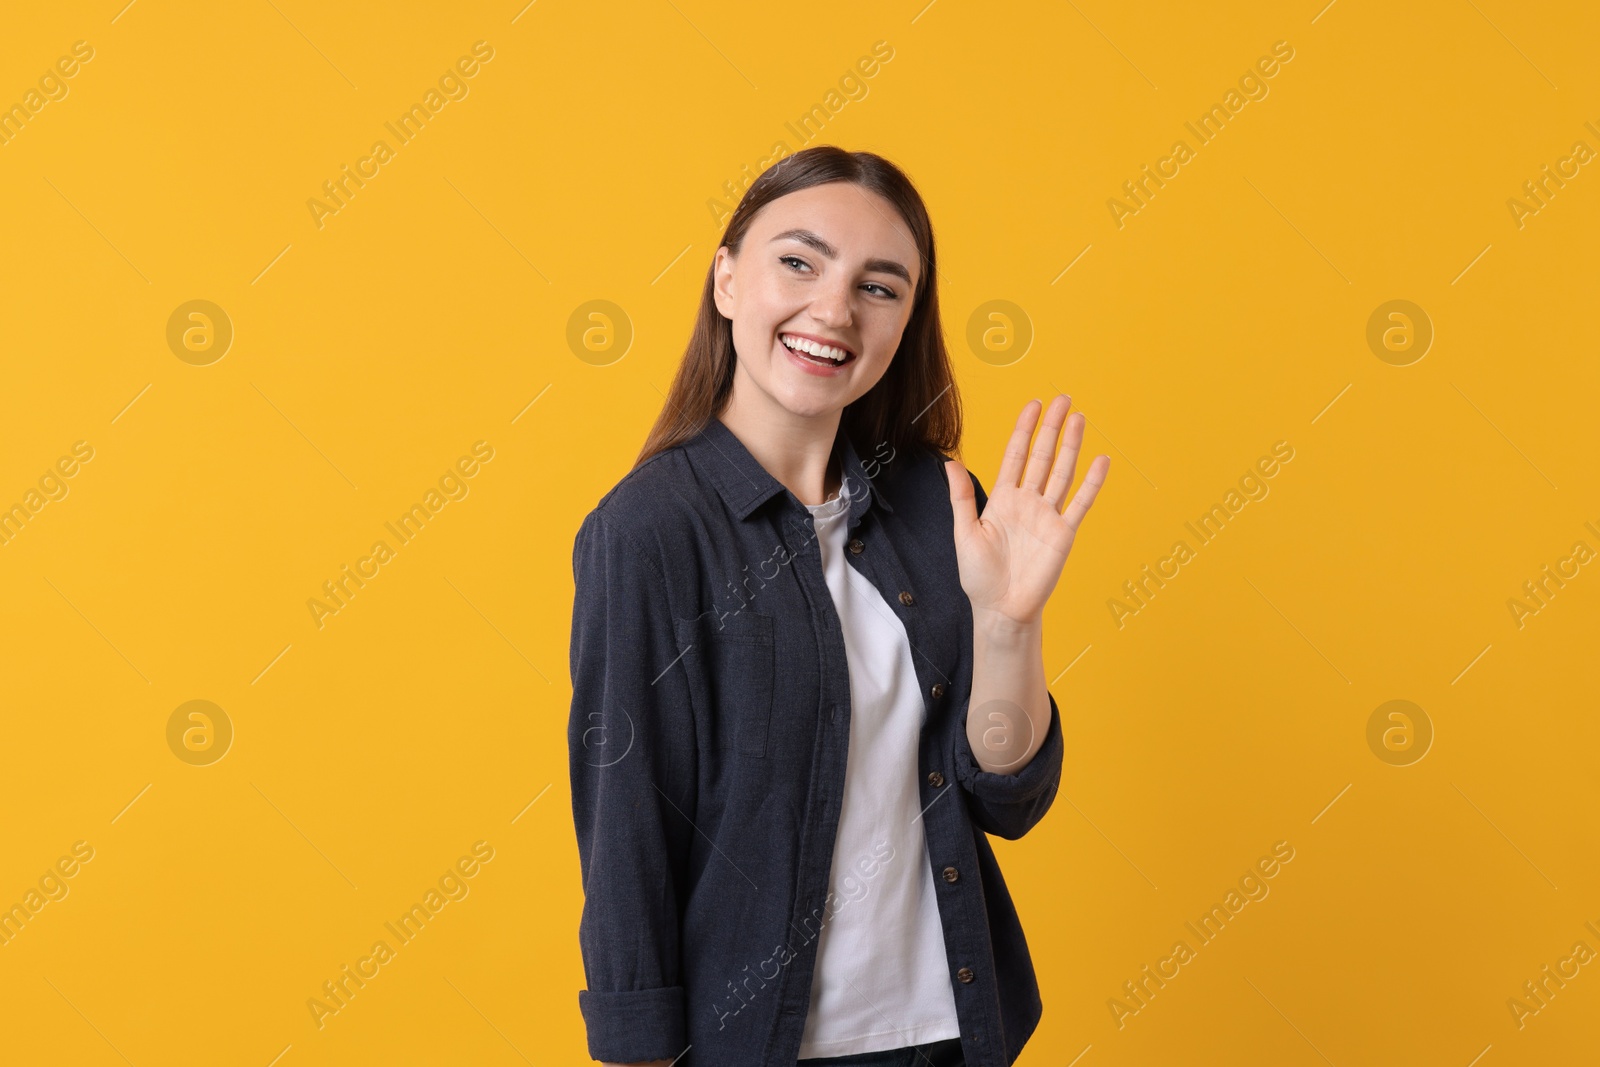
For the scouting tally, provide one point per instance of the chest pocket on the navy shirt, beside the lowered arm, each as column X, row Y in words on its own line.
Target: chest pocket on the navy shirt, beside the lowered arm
column 730, row 666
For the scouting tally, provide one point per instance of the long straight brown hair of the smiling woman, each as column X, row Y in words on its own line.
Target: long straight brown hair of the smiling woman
column 913, row 406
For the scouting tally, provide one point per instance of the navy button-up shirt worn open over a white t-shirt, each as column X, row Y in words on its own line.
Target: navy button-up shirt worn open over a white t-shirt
column 708, row 738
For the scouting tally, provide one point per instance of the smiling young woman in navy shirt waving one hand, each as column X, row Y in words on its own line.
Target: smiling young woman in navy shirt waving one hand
column 807, row 666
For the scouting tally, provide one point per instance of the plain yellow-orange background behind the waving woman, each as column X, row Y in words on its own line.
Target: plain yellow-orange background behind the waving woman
column 369, row 354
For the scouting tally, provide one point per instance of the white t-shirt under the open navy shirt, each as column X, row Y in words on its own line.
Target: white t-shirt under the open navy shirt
column 882, row 977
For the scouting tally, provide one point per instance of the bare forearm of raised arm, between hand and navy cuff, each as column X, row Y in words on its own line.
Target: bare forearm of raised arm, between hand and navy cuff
column 1009, row 714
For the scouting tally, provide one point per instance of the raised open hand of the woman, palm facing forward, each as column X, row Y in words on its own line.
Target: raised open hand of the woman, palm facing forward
column 1012, row 557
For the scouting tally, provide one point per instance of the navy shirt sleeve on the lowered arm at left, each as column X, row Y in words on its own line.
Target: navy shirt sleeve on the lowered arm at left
column 631, row 754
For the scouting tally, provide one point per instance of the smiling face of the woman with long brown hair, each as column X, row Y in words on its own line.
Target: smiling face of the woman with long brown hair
column 818, row 295
